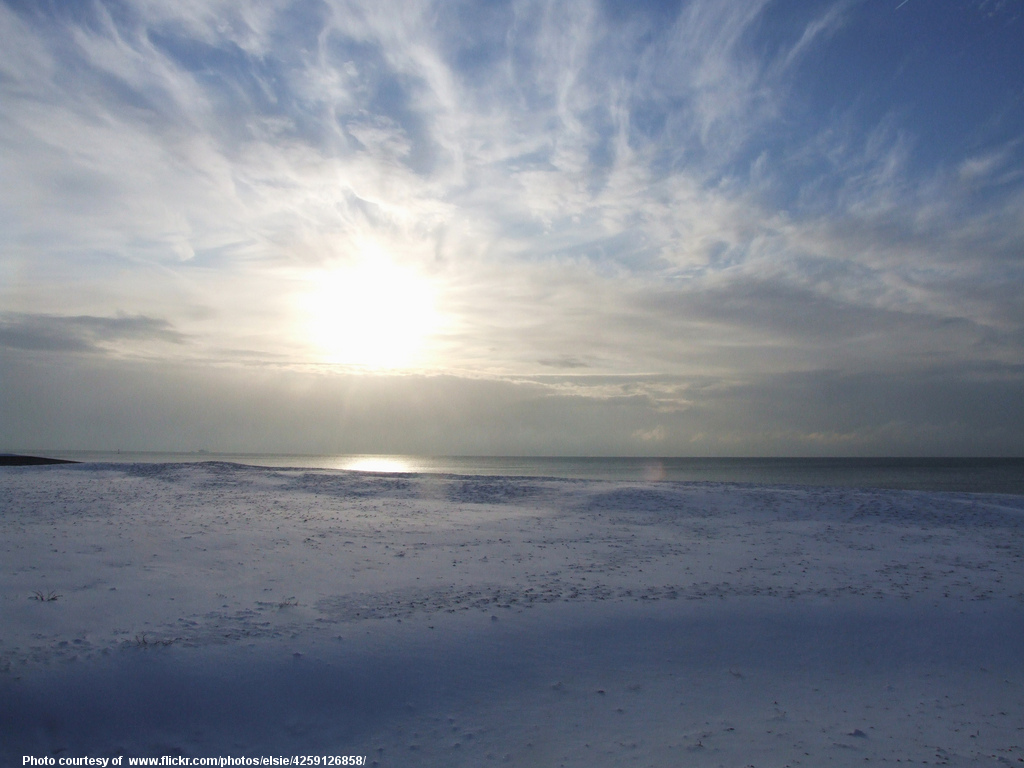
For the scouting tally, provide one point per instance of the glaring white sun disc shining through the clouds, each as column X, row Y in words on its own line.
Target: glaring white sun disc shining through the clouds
column 374, row 314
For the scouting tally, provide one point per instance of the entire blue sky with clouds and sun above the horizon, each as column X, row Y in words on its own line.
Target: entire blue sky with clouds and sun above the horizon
column 770, row 228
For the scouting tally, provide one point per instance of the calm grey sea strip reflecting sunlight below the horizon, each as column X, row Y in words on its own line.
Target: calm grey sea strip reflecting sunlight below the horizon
column 975, row 476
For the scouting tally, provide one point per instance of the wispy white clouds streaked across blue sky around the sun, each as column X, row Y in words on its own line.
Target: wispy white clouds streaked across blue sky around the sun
column 679, row 190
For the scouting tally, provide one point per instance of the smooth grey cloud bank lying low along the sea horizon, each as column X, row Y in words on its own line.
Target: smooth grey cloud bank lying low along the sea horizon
column 89, row 402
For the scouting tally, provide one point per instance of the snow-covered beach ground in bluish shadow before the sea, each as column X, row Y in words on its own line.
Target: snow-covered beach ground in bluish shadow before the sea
column 216, row 610
